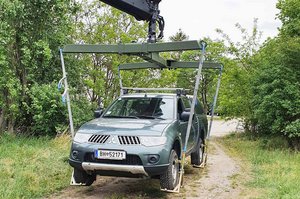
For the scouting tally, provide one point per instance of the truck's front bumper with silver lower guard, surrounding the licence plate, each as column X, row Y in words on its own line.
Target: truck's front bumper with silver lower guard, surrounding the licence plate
column 143, row 169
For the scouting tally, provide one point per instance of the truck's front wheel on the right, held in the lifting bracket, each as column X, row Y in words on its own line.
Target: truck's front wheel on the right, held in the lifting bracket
column 170, row 178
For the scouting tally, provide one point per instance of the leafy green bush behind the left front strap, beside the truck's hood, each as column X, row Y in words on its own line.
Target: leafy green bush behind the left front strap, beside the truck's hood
column 49, row 114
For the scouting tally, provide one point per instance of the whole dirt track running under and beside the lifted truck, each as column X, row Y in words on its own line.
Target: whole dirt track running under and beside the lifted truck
column 219, row 179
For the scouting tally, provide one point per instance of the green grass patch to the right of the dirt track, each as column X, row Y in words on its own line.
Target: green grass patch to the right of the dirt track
column 275, row 168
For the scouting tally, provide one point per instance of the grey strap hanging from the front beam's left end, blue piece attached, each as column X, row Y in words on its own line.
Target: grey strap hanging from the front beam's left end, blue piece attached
column 67, row 92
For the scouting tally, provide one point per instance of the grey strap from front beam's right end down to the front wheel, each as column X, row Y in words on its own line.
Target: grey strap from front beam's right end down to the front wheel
column 202, row 57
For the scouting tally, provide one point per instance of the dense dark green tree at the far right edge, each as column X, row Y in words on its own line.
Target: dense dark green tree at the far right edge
column 276, row 83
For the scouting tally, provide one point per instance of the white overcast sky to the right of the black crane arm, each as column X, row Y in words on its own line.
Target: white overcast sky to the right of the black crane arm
column 199, row 18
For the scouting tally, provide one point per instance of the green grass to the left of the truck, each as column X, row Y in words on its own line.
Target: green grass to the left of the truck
column 33, row 167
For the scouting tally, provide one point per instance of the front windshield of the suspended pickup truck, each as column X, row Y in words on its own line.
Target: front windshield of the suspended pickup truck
column 142, row 108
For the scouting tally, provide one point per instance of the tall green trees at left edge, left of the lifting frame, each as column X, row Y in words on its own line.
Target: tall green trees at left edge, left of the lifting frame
column 28, row 53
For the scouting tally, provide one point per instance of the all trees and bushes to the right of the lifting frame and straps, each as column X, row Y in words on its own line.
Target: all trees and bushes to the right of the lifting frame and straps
column 262, row 85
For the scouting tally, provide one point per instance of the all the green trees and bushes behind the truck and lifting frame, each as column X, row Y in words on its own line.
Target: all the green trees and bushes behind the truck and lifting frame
column 258, row 86
